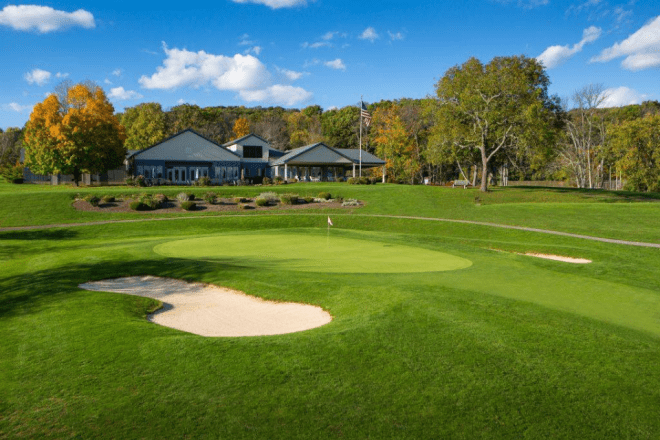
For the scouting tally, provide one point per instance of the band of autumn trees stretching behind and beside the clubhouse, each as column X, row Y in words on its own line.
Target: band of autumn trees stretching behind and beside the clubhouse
column 483, row 119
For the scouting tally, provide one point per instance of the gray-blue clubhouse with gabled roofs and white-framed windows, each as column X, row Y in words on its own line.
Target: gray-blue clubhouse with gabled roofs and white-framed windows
column 188, row 156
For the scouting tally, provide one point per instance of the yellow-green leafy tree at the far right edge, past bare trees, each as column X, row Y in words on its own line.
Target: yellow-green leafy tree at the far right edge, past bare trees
column 636, row 147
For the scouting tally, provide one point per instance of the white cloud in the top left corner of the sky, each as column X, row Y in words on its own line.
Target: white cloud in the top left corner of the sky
column 43, row 18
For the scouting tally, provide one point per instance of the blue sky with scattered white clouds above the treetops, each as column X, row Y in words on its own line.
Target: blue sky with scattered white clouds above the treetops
column 296, row 53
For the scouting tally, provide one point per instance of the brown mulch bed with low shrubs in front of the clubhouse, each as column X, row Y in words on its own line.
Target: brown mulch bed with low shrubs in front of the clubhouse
column 222, row 205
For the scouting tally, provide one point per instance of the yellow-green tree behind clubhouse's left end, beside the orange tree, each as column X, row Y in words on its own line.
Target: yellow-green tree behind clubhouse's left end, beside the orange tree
column 144, row 124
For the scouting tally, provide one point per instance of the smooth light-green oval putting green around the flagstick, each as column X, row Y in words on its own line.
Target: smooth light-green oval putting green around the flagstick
column 312, row 253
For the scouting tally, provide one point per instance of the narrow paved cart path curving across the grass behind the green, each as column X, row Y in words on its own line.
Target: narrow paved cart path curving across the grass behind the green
column 400, row 217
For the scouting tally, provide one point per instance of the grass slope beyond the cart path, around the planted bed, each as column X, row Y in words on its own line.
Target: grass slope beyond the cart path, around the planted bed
column 619, row 215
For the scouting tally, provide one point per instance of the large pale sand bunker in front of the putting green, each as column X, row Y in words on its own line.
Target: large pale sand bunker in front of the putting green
column 209, row 310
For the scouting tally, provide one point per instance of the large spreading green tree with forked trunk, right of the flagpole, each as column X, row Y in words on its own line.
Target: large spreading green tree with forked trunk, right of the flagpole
column 494, row 107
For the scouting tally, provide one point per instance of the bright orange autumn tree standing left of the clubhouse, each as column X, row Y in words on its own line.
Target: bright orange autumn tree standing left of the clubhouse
column 80, row 135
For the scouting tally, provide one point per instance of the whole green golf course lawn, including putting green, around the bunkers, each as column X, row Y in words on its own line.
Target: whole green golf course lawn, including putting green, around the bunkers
column 439, row 329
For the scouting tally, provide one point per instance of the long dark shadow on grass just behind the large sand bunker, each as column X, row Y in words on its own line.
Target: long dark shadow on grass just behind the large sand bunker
column 29, row 293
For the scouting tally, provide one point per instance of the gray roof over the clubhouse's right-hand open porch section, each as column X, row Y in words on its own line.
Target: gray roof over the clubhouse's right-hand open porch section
column 320, row 153
